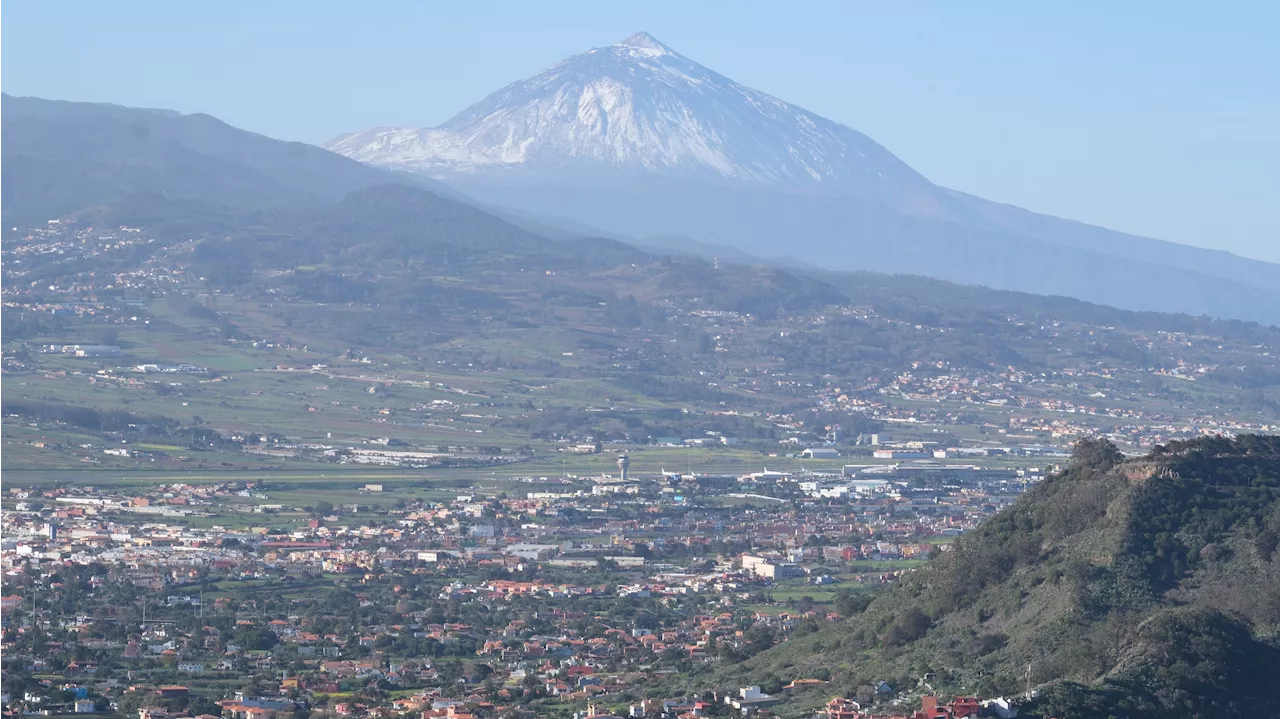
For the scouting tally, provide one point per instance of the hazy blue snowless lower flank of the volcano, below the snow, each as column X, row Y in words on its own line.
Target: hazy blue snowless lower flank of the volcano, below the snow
column 843, row 233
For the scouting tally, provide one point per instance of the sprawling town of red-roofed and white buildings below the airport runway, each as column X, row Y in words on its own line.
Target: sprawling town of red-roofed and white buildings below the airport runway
column 584, row 597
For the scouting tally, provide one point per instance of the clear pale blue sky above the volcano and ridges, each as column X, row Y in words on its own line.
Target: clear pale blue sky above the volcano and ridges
column 1160, row 118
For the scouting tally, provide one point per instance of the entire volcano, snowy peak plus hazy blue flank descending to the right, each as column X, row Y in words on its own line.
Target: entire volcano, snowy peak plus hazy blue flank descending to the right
column 641, row 141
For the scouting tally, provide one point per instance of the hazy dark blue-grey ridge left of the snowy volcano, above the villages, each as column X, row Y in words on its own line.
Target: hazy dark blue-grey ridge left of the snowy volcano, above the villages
column 63, row 158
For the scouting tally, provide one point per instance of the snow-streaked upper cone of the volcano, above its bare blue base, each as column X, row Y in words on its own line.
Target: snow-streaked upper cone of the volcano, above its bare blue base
column 638, row 108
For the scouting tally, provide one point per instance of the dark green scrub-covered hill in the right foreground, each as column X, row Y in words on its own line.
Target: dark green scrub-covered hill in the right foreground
column 1144, row 588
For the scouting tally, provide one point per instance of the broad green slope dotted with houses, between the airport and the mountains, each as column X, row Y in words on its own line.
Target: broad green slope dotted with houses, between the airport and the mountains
column 520, row 347
